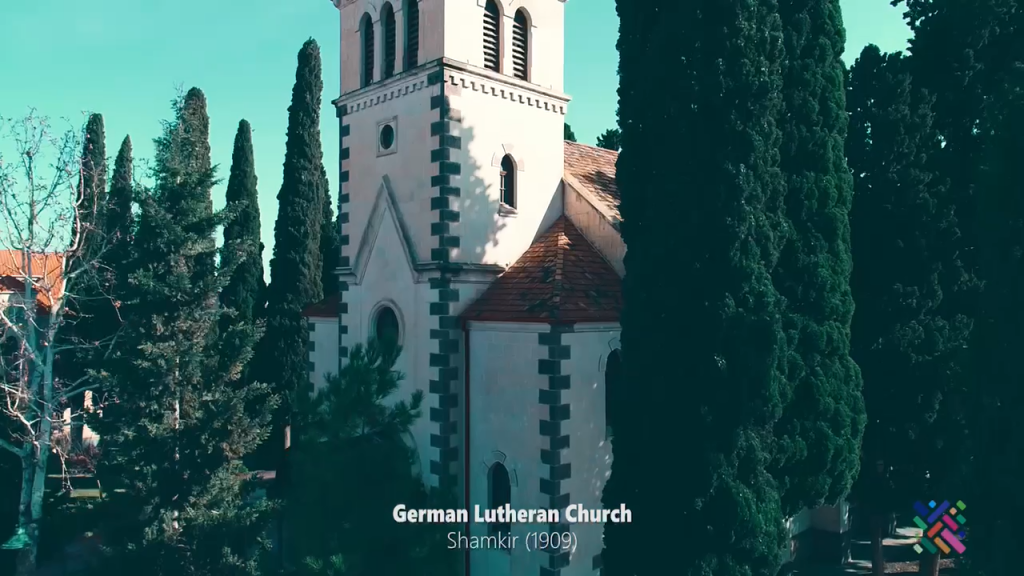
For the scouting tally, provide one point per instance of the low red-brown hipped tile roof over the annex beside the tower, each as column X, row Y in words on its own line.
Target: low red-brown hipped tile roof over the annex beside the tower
column 562, row 278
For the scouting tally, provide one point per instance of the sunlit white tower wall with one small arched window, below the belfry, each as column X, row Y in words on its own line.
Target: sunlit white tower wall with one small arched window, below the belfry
column 498, row 119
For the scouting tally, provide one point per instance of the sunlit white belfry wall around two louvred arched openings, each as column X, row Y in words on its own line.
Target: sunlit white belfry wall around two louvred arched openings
column 547, row 37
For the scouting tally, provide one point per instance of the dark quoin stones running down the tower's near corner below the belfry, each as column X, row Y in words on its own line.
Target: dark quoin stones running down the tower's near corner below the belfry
column 447, row 332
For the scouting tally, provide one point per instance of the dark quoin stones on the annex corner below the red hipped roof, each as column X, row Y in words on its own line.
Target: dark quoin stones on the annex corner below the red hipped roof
column 556, row 434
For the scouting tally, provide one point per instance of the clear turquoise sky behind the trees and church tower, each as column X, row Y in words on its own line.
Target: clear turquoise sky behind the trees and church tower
column 126, row 59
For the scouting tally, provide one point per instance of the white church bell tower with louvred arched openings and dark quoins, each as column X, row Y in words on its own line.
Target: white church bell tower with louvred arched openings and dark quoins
column 451, row 115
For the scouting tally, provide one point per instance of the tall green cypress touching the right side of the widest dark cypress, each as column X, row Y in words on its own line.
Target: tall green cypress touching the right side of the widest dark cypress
column 823, row 424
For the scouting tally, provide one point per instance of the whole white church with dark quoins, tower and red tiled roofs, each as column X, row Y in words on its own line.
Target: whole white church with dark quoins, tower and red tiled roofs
column 489, row 248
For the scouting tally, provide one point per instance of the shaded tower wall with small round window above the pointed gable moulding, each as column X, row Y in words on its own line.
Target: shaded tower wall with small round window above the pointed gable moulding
column 409, row 169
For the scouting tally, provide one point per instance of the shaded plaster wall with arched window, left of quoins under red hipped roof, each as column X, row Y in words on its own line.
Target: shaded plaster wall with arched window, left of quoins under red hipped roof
column 505, row 418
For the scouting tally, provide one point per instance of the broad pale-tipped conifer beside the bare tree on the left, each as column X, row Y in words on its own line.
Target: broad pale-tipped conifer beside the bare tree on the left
column 176, row 423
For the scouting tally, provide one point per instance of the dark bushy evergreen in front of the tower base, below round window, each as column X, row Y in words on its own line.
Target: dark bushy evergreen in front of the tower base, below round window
column 353, row 466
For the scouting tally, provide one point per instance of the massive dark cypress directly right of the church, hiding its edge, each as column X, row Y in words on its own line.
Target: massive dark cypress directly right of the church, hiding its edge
column 706, row 344
